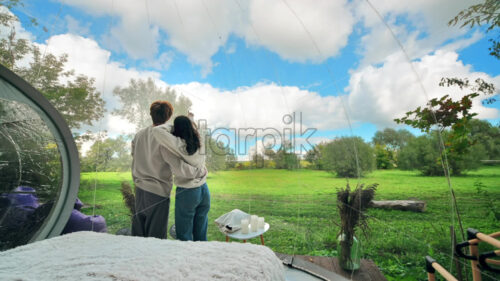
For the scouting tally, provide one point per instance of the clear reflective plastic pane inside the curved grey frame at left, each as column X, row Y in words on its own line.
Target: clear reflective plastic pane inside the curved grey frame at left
column 30, row 170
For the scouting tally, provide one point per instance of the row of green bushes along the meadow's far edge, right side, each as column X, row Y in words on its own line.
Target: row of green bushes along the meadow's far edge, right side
column 400, row 149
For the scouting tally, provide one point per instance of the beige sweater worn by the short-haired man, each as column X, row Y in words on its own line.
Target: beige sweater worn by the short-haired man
column 153, row 165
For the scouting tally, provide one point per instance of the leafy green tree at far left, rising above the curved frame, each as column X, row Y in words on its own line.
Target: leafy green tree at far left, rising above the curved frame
column 76, row 98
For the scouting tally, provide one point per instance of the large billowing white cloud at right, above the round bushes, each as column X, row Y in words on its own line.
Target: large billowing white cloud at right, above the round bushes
column 380, row 94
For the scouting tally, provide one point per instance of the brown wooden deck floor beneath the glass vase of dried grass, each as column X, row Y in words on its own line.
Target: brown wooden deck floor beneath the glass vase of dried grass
column 326, row 268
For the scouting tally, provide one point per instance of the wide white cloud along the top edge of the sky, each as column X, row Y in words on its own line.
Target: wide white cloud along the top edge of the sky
column 199, row 29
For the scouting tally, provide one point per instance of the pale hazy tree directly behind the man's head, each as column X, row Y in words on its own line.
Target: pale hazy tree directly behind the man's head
column 137, row 97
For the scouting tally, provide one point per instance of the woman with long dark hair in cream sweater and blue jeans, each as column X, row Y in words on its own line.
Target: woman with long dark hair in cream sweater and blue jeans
column 192, row 197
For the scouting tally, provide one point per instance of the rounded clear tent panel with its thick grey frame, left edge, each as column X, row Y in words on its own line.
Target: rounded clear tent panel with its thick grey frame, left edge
column 56, row 182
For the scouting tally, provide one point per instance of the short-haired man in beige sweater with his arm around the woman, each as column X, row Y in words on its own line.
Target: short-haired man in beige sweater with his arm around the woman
column 152, row 169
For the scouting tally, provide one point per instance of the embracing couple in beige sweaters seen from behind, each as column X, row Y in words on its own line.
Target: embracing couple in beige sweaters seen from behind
column 162, row 156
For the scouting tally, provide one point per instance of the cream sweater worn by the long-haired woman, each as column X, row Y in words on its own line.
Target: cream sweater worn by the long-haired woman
column 177, row 147
